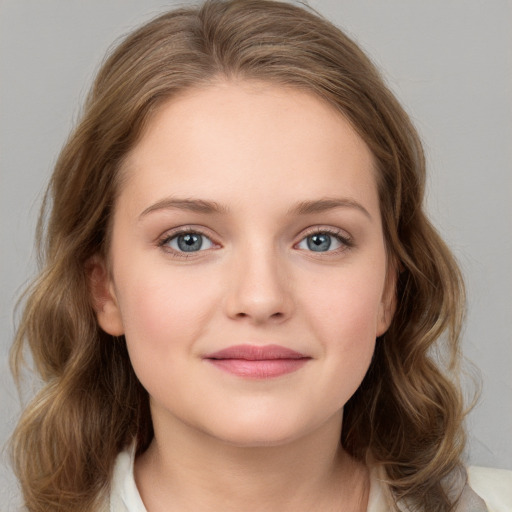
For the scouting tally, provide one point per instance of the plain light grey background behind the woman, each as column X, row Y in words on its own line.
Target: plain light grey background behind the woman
column 449, row 62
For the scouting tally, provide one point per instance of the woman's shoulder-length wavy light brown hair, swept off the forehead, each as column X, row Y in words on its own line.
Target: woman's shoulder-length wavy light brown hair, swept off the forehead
column 407, row 414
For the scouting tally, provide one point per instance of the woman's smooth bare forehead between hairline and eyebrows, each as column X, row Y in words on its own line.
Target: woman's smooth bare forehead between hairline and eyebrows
column 242, row 140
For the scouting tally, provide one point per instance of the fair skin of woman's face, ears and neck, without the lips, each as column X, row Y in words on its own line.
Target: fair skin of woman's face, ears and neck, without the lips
column 222, row 441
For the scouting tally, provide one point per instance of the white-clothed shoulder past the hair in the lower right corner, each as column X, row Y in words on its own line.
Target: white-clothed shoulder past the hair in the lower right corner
column 494, row 486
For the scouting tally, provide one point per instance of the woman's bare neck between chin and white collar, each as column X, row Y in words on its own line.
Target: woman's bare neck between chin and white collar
column 194, row 471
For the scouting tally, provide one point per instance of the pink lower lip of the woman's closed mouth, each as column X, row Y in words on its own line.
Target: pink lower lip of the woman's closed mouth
column 259, row 369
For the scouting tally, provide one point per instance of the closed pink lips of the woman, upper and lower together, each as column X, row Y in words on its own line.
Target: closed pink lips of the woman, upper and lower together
column 257, row 362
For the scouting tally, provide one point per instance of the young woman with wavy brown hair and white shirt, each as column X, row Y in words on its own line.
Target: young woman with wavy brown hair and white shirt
column 241, row 293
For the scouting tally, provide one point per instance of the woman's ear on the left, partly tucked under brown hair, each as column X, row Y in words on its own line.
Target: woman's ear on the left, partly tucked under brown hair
column 103, row 296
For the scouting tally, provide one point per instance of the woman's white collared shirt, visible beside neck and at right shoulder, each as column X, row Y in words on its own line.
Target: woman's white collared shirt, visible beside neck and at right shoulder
column 494, row 486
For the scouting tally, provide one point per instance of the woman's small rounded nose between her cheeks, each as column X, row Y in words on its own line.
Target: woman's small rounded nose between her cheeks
column 259, row 290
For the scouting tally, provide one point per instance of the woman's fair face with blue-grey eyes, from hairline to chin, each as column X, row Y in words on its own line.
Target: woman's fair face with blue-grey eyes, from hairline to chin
column 248, row 265
